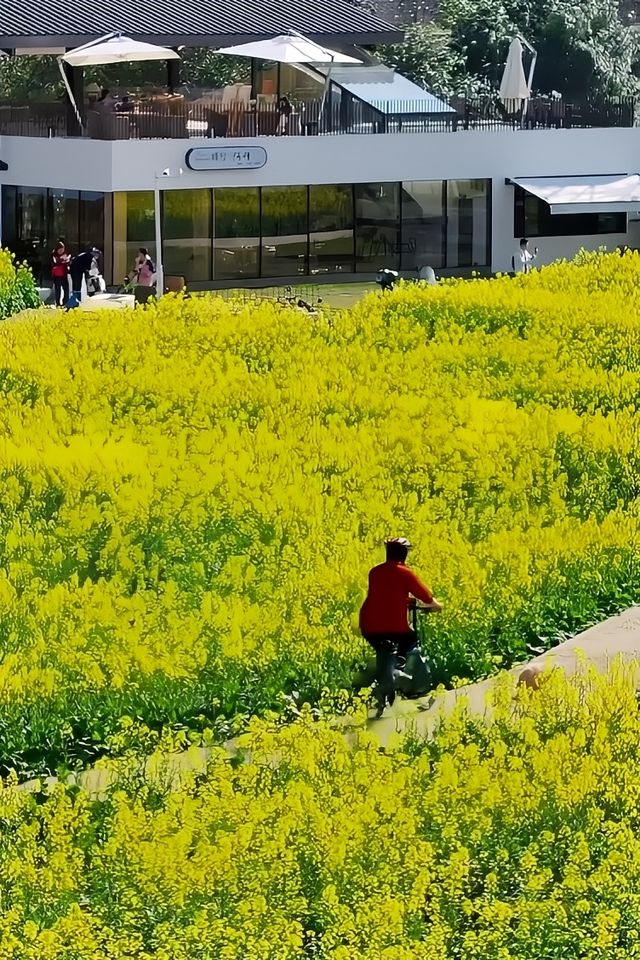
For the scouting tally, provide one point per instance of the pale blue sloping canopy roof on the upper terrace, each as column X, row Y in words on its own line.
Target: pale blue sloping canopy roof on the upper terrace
column 385, row 90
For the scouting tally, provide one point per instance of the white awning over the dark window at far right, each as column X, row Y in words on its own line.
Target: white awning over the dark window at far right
column 615, row 193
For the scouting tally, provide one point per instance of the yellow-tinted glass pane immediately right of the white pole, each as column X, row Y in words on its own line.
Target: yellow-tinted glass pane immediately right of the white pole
column 186, row 233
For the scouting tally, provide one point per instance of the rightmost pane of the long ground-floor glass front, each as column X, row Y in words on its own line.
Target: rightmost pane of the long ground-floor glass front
column 468, row 223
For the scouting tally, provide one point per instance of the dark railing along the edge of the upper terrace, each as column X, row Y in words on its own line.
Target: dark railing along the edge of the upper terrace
column 182, row 119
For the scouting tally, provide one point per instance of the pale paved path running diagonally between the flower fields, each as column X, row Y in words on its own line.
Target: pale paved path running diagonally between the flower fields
column 599, row 646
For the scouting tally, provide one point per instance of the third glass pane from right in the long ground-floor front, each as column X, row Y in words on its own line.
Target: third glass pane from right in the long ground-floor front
column 377, row 208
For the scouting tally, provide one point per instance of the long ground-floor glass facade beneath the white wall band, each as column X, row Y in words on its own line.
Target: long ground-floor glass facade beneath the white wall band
column 236, row 234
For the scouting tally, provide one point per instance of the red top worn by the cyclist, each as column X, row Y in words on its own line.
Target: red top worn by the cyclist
column 391, row 586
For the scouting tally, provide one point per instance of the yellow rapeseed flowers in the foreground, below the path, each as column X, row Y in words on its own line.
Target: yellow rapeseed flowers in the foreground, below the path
column 511, row 841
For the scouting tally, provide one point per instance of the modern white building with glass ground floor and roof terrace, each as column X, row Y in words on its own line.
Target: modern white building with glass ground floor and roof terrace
column 379, row 174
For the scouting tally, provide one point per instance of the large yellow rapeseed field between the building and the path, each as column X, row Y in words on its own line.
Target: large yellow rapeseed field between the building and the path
column 191, row 494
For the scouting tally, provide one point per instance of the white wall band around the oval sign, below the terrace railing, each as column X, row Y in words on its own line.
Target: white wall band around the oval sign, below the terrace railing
column 132, row 165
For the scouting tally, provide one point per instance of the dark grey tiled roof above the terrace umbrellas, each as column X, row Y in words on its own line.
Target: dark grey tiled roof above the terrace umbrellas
column 210, row 23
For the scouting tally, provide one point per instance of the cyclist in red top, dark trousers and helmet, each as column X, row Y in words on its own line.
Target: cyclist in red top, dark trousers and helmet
column 384, row 615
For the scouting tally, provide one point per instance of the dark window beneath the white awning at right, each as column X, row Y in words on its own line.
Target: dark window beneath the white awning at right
column 533, row 218
